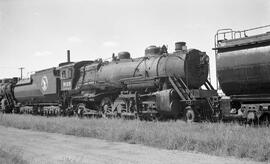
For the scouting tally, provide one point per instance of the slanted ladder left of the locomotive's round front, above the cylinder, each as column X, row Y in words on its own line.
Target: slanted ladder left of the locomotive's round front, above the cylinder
column 181, row 88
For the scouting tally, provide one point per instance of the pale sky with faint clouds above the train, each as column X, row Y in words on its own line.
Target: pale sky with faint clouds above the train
column 35, row 34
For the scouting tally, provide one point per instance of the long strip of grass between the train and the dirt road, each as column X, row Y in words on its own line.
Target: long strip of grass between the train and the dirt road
column 210, row 138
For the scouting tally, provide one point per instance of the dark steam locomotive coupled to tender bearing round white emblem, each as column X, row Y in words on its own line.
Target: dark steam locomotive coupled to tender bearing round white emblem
column 157, row 85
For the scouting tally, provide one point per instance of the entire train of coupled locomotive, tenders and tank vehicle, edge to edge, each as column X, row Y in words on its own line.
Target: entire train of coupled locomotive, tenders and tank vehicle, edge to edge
column 157, row 85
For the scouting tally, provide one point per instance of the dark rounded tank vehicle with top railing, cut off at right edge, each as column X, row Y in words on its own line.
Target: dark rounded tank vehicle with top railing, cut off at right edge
column 243, row 71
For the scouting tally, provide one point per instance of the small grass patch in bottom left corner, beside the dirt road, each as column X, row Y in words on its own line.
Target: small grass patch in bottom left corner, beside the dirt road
column 11, row 155
